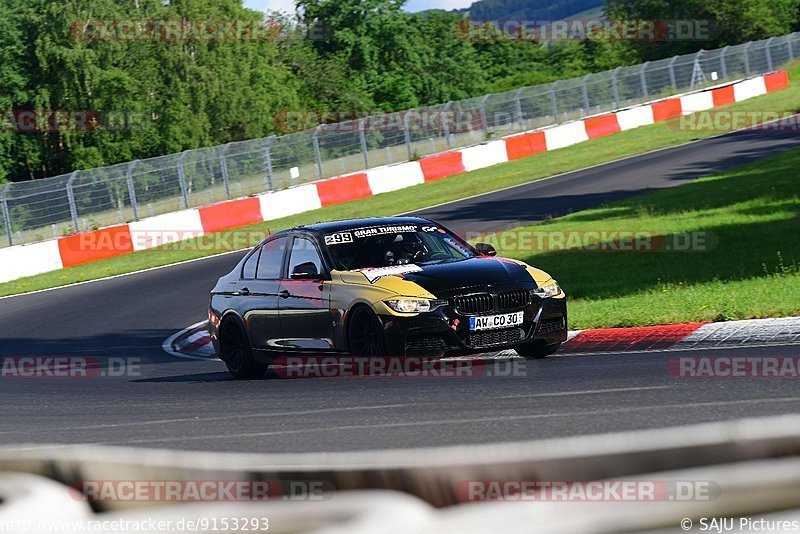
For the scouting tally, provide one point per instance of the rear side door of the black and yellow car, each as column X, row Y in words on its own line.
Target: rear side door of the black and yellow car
column 259, row 291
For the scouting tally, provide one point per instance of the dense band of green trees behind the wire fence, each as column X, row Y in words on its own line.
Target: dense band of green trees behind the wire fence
column 164, row 96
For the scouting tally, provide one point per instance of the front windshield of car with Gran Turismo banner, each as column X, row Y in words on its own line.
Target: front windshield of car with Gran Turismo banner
column 388, row 246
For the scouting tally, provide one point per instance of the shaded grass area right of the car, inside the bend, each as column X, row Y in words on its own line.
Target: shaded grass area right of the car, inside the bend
column 742, row 229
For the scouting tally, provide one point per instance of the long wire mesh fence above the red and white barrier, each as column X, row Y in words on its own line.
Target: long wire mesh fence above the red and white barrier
column 86, row 199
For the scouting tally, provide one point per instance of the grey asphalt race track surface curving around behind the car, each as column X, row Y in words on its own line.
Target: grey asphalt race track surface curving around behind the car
column 183, row 404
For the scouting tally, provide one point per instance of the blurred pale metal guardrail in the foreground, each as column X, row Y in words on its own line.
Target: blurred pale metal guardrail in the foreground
column 751, row 464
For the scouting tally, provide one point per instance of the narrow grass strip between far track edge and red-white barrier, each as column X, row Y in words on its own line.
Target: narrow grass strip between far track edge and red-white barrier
column 594, row 152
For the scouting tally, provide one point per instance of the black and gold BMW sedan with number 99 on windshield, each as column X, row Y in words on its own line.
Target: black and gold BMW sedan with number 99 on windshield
column 398, row 286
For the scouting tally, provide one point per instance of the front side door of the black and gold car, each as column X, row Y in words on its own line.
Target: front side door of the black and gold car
column 306, row 319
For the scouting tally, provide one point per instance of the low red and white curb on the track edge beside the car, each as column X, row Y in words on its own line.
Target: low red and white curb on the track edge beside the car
column 195, row 342
